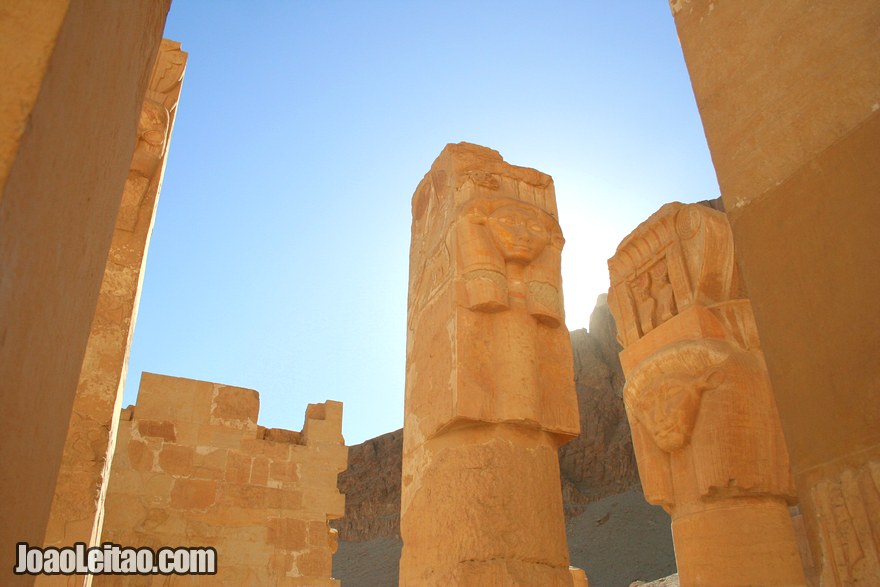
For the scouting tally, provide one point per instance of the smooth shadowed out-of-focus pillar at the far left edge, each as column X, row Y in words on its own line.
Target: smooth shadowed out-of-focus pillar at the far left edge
column 75, row 74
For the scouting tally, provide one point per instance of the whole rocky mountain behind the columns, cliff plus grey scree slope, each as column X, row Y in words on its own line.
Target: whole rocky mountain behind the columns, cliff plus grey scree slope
column 612, row 533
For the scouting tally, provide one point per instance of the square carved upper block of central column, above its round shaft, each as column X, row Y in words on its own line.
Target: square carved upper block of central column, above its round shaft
column 485, row 270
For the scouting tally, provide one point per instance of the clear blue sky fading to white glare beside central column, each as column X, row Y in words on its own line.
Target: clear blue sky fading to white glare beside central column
column 279, row 257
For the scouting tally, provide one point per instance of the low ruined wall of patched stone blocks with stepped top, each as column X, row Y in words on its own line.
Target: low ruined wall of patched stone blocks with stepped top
column 193, row 468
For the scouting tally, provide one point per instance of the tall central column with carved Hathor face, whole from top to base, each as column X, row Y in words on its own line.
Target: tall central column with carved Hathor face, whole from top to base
column 489, row 379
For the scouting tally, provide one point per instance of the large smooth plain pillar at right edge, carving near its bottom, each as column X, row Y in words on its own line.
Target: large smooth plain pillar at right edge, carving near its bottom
column 789, row 96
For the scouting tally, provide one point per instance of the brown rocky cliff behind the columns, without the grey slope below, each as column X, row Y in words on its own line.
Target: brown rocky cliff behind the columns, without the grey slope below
column 598, row 463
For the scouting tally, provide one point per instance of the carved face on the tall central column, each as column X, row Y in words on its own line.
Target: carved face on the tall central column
column 518, row 233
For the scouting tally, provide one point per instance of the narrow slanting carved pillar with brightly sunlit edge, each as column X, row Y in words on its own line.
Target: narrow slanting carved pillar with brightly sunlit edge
column 88, row 451
